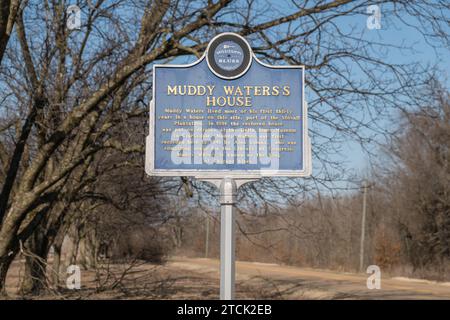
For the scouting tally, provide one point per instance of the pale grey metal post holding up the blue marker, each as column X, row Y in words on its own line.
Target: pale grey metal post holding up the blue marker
column 227, row 238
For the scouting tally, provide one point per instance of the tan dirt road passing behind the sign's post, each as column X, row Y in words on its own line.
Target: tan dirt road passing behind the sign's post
column 285, row 282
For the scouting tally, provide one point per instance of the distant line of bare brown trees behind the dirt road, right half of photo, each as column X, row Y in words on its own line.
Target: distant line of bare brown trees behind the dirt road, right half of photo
column 408, row 209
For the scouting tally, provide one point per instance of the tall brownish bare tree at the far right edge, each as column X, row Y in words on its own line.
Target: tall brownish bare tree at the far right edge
column 417, row 182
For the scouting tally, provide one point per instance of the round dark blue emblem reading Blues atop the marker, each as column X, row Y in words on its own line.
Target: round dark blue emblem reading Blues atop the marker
column 228, row 56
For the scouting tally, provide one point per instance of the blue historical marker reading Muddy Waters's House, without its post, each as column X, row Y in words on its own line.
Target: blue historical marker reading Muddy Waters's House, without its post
column 228, row 114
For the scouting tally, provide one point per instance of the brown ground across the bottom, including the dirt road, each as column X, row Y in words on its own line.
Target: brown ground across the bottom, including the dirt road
column 193, row 278
